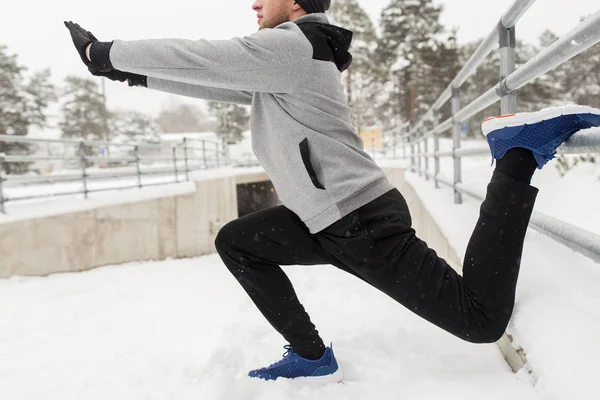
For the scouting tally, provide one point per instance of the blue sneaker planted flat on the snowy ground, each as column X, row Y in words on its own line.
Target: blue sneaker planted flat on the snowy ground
column 292, row 366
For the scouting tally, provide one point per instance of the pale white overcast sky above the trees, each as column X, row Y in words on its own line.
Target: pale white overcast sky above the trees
column 34, row 29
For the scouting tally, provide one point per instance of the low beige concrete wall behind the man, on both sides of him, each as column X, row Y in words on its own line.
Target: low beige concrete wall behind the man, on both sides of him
column 183, row 225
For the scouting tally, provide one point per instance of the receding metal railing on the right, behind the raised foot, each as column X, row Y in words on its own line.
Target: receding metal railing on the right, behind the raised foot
column 416, row 138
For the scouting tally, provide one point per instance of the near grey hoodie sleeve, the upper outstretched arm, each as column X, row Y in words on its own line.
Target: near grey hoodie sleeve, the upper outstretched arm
column 270, row 60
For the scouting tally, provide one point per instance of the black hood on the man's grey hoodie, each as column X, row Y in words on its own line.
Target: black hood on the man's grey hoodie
column 338, row 39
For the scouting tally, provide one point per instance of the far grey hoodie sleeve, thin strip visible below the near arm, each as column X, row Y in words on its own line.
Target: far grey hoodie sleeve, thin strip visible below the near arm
column 201, row 92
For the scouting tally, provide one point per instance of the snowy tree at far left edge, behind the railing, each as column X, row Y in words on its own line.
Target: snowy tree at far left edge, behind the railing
column 23, row 103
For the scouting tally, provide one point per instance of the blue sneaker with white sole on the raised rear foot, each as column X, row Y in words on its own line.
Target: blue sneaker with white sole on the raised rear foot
column 541, row 132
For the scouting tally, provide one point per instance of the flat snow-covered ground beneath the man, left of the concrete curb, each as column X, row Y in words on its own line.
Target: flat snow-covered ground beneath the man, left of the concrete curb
column 185, row 329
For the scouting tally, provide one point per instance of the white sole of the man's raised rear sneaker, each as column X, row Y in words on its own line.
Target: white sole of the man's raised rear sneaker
column 505, row 121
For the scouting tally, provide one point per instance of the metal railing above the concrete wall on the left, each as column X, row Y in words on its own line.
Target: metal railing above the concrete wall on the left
column 93, row 166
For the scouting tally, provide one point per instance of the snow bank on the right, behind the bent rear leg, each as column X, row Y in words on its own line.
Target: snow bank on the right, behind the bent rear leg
column 557, row 312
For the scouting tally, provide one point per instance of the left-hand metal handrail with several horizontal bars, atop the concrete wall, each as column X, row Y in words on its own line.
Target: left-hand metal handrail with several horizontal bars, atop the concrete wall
column 173, row 159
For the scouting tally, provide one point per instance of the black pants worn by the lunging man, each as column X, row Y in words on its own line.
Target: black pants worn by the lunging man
column 377, row 244
